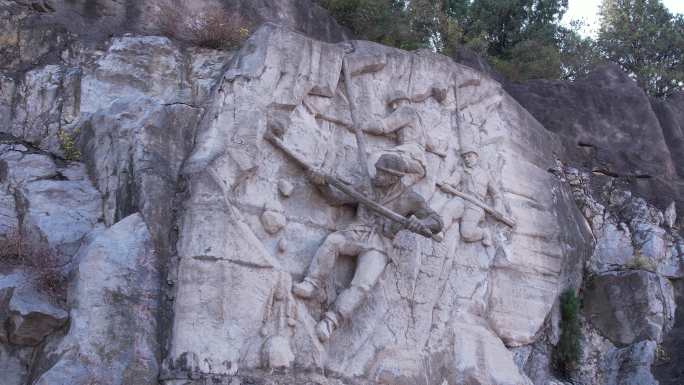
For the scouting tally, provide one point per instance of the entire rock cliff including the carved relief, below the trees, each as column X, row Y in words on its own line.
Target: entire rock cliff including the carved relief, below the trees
column 152, row 229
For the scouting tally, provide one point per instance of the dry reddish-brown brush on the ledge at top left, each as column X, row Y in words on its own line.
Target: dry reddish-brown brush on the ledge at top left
column 213, row 27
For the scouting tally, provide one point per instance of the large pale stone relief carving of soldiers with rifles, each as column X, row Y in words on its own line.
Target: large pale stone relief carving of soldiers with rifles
column 367, row 294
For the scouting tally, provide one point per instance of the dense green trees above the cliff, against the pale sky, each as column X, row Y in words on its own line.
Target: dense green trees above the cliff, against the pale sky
column 524, row 40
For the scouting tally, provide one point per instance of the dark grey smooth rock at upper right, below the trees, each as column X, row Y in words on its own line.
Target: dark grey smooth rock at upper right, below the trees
column 609, row 126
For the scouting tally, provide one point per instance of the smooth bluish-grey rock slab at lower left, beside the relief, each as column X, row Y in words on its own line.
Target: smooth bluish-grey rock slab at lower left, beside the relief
column 114, row 305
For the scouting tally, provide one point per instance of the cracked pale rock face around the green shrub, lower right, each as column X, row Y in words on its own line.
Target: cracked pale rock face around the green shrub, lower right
column 630, row 304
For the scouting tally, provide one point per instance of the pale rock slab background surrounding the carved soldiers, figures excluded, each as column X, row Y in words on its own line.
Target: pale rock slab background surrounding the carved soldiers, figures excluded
column 458, row 302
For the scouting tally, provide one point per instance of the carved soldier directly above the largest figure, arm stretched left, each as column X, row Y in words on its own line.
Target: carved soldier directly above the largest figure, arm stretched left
column 403, row 121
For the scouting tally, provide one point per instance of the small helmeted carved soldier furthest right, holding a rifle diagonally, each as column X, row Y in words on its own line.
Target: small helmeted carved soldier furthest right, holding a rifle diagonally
column 477, row 182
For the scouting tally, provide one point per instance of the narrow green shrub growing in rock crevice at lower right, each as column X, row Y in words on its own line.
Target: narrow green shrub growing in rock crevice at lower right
column 566, row 353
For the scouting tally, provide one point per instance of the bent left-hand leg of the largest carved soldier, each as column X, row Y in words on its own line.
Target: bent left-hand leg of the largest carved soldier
column 324, row 262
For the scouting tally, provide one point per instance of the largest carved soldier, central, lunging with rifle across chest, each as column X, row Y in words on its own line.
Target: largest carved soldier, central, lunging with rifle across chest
column 368, row 237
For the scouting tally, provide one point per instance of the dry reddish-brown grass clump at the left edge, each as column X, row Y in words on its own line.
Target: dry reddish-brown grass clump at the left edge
column 40, row 261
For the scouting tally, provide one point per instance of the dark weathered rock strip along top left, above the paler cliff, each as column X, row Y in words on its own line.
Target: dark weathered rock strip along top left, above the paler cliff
column 35, row 30
